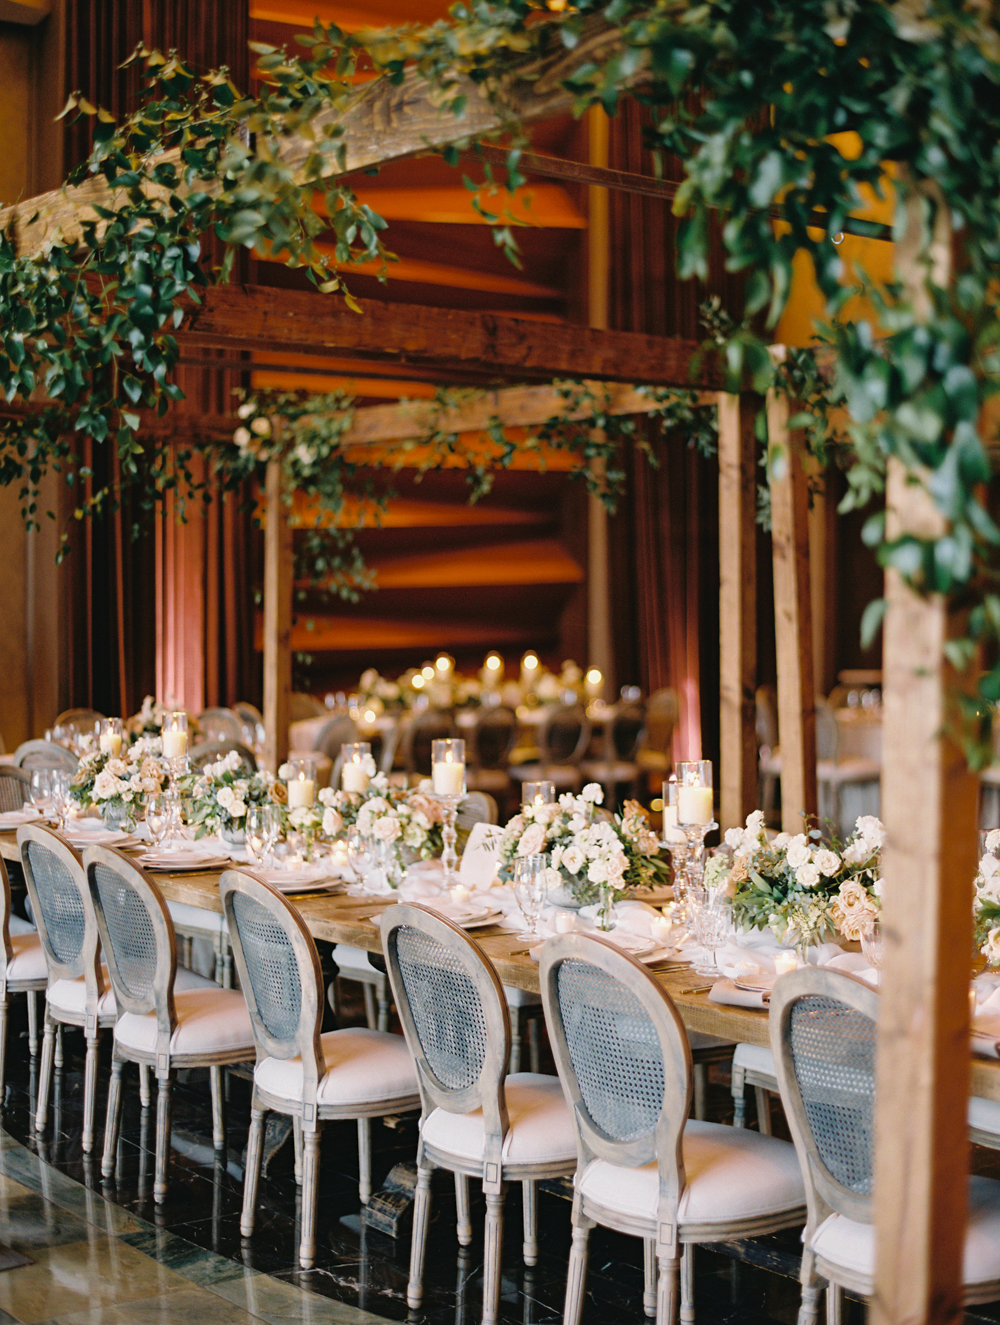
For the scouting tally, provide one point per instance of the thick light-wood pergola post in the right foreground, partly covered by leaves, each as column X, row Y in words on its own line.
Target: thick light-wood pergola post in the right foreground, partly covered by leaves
column 930, row 813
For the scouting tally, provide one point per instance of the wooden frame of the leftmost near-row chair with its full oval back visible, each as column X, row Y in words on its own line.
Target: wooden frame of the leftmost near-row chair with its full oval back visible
column 85, row 967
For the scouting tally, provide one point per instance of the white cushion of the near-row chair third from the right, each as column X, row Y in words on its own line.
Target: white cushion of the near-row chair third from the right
column 541, row 1126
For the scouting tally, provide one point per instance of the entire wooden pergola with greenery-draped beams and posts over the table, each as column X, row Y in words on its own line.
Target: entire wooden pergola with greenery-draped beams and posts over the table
column 929, row 798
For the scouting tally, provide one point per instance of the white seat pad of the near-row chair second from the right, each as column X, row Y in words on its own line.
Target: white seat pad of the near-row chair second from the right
column 732, row 1175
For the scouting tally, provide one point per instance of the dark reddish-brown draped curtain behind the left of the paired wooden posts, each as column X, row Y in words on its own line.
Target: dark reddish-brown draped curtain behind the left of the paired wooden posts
column 664, row 540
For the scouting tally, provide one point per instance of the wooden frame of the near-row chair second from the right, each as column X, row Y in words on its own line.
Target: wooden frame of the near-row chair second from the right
column 668, row 1244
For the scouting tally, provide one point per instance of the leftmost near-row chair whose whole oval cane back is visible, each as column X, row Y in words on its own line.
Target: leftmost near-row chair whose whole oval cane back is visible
column 77, row 992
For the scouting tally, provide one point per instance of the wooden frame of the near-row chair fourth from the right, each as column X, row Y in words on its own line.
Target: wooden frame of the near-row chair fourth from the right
column 308, row 1114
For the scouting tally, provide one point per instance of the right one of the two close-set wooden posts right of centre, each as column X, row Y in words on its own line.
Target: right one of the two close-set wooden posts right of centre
column 797, row 691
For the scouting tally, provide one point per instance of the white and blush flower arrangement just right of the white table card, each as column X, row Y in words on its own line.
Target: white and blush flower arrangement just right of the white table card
column 586, row 857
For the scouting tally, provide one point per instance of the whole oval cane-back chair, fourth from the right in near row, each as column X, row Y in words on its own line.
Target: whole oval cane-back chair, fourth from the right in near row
column 312, row 1078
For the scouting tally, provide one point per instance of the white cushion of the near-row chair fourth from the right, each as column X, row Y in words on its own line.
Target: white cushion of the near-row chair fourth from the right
column 362, row 1067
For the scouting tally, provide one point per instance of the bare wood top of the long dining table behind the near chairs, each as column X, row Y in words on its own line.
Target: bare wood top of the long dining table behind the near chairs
column 342, row 919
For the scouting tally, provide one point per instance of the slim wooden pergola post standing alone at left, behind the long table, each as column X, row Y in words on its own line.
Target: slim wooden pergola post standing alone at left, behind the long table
column 277, row 621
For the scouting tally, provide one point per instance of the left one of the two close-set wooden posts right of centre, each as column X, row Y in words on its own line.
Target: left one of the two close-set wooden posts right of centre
column 738, row 776
